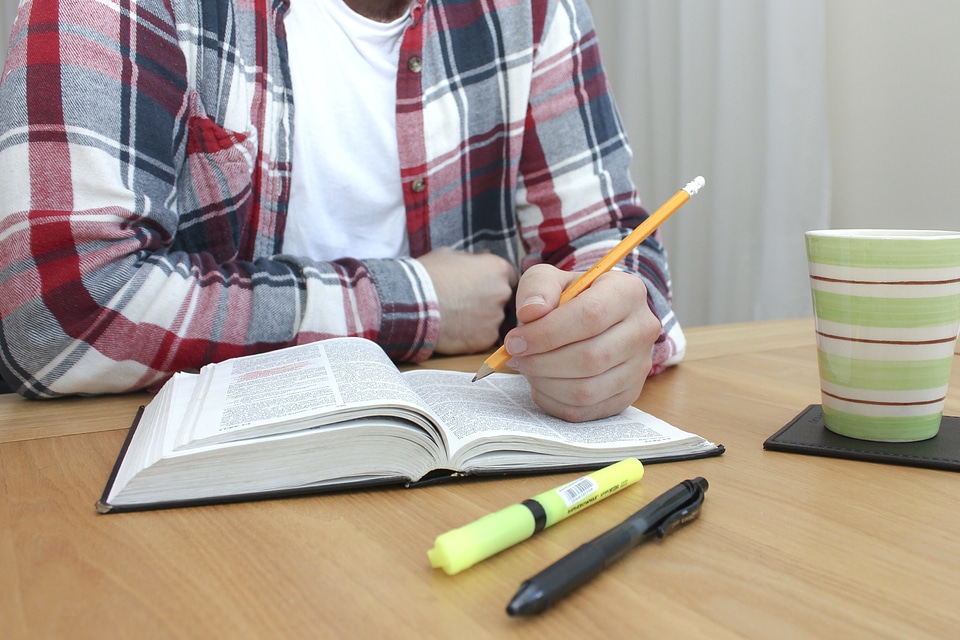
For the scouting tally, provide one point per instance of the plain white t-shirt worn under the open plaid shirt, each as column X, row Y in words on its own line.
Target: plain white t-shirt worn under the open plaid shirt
column 346, row 198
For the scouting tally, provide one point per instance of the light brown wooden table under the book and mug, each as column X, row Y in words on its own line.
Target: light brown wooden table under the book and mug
column 787, row 546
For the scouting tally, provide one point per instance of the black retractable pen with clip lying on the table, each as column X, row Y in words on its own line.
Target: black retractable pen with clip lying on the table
column 675, row 507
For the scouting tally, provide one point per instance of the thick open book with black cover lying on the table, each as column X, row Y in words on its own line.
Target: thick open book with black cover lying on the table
column 338, row 414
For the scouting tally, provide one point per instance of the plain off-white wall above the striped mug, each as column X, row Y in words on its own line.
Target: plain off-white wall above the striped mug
column 894, row 104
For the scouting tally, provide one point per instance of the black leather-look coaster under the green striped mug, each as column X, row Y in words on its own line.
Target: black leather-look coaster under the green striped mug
column 807, row 434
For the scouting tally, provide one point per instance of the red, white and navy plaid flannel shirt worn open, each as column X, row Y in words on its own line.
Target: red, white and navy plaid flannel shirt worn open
column 145, row 170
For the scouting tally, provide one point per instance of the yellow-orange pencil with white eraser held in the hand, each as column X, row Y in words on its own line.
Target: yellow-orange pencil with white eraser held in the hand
column 500, row 357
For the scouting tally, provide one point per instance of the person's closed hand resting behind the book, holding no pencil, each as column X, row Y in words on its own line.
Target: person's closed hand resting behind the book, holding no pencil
column 473, row 290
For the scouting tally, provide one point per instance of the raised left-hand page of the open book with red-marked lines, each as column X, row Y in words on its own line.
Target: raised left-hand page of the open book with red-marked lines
column 293, row 388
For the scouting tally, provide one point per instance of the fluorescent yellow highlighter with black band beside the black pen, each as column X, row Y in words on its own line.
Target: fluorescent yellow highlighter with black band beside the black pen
column 462, row 548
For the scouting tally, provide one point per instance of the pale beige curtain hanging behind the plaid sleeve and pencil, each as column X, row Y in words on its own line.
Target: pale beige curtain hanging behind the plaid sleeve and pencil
column 733, row 90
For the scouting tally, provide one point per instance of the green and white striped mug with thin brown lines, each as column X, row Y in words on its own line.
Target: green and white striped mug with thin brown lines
column 886, row 306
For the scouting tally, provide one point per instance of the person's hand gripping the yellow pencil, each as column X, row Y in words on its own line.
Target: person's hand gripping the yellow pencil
column 589, row 358
